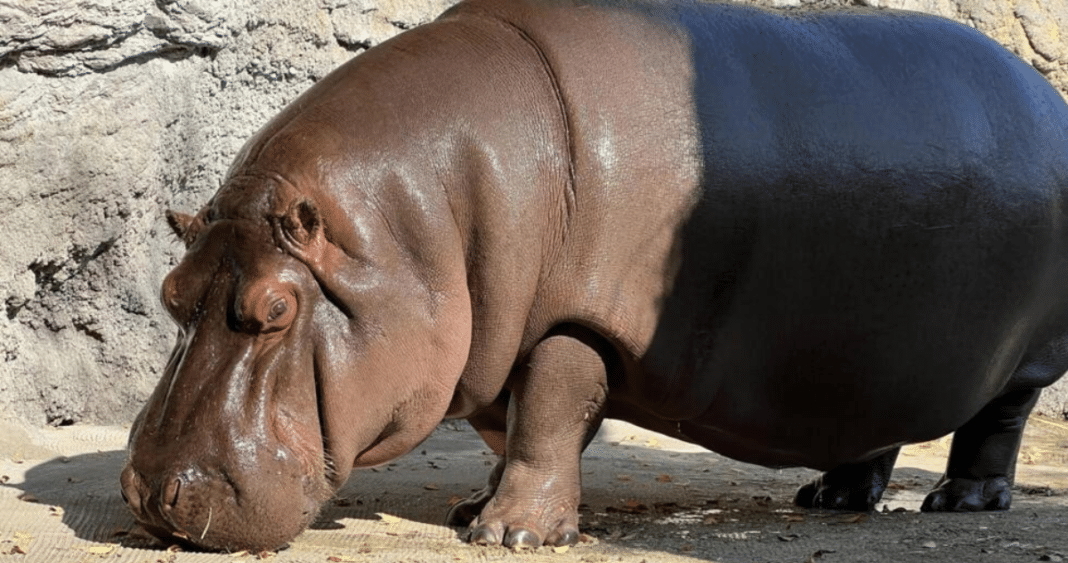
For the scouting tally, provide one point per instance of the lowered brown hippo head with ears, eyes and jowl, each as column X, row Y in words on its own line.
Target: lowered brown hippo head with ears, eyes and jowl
column 295, row 362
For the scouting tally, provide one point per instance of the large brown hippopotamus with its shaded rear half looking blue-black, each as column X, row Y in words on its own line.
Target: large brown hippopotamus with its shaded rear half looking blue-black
column 794, row 238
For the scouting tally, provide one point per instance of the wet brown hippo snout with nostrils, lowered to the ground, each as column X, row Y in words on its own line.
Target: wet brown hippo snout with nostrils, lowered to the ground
column 208, row 510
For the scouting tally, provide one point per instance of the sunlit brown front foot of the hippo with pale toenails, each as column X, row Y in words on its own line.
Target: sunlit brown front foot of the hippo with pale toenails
column 508, row 514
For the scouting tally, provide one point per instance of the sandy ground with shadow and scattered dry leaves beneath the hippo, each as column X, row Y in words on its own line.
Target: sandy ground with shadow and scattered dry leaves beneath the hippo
column 648, row 498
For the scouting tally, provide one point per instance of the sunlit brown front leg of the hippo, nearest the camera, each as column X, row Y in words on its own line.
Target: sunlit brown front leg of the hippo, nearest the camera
column 557, row 404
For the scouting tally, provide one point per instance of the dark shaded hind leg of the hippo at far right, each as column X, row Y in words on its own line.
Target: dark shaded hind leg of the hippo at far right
column 982, row 464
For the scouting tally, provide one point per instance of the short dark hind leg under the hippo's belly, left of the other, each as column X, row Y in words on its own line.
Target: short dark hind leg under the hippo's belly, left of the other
column 850, row 488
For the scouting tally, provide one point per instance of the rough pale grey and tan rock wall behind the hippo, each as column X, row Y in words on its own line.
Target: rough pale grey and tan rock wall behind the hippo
column 115, row 111
